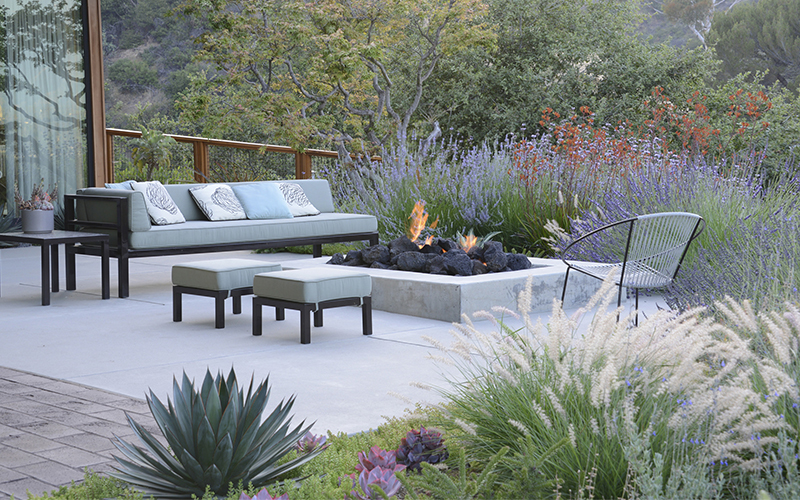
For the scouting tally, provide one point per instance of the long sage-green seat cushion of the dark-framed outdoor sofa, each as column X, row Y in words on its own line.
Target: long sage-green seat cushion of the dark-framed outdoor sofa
column 198, row 233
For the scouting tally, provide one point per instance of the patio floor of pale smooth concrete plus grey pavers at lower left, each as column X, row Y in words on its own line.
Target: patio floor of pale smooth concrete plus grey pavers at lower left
column 69, row 371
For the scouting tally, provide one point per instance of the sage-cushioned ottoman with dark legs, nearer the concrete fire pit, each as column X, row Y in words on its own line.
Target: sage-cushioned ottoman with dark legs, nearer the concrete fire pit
column 309, row 290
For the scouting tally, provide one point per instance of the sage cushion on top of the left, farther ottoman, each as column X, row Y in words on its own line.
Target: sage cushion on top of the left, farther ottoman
column 221, row 274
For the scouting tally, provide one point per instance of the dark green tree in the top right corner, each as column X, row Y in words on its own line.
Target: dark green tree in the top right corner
column 762, row 36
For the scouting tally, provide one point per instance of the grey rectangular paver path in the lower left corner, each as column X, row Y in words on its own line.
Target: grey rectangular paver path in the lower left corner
column 52, row 430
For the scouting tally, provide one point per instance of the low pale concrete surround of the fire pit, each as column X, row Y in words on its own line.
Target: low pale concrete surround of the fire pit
column 446, row 298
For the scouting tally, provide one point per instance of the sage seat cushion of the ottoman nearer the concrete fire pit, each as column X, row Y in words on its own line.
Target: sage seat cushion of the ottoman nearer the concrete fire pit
column 311, row 286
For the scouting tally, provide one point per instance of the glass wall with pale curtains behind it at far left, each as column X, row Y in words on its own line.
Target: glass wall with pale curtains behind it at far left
column 43, row 106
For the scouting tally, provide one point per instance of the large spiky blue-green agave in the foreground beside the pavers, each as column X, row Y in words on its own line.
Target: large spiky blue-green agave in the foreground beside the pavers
column 215, row 439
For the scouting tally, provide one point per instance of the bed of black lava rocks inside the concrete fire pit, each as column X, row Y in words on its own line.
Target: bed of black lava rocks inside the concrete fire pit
column 438, row 256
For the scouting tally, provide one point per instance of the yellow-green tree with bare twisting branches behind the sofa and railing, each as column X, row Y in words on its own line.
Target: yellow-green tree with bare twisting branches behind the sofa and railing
column 303, row 71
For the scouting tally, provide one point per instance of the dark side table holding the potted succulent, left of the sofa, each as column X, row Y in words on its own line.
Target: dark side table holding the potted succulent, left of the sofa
column 49, row 243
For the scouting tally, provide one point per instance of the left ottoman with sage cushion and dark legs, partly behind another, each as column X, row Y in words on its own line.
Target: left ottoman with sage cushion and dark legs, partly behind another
column 216, row 278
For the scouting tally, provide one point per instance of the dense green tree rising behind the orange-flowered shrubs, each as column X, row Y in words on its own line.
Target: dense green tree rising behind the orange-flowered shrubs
column 558, row 55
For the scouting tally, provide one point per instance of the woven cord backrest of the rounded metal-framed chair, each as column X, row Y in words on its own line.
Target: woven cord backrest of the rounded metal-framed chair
column 657, row 244
